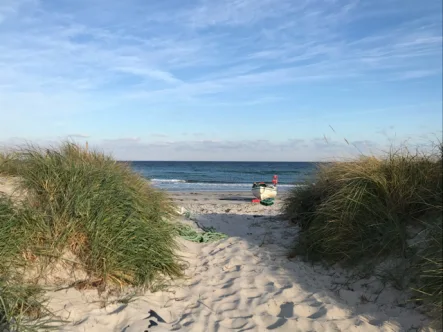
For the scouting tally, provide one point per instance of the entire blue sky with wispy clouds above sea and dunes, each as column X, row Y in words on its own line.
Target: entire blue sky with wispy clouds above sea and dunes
column 269, row 80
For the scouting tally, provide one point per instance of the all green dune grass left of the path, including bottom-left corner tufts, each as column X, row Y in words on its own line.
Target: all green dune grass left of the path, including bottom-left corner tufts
column 114, row 224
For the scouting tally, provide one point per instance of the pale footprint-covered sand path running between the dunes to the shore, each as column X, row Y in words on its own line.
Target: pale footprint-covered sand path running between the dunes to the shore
column 245, row 283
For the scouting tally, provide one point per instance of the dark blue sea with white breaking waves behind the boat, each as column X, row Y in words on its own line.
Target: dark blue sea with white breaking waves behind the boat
column 221, row 176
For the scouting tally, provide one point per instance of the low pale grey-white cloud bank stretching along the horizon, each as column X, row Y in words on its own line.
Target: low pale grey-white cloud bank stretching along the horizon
column 294, row 149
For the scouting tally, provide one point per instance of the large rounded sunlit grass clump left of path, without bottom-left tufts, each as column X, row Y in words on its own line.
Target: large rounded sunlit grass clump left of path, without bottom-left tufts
column 87, row 204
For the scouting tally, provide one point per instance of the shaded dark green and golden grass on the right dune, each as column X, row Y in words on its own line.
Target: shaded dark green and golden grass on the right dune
column 366, row 209
